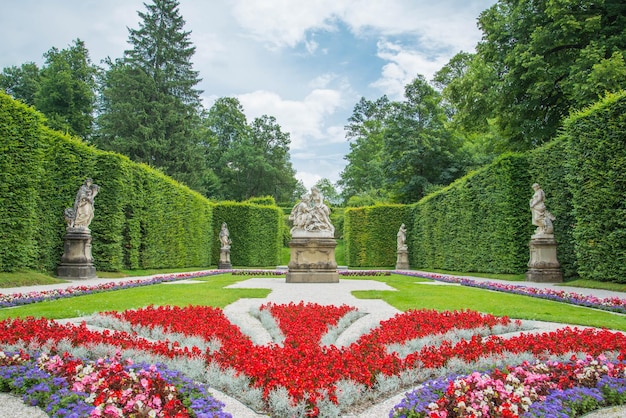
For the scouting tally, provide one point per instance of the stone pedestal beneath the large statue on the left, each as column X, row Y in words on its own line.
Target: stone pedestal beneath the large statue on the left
column 77, row 261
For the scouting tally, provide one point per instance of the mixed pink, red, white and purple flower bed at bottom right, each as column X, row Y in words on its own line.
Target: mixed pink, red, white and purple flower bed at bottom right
column 554, row 389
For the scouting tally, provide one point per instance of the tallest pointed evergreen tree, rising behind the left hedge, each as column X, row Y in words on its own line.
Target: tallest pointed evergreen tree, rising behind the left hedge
column 150, row 107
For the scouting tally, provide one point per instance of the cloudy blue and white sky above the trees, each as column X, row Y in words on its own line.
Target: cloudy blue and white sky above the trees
column 307, row 63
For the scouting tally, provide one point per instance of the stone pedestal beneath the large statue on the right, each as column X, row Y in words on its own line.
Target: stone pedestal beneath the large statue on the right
column 543, row 265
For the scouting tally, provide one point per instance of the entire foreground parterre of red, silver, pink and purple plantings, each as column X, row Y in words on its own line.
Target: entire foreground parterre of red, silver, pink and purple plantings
column 163, row 361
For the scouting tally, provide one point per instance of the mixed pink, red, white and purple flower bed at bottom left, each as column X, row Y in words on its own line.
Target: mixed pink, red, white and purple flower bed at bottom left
column 67, row 386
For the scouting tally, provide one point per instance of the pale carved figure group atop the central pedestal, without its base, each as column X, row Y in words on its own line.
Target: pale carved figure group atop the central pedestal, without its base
column 311, row 214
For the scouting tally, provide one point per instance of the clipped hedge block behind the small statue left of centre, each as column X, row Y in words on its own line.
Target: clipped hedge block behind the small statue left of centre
column 256, row 232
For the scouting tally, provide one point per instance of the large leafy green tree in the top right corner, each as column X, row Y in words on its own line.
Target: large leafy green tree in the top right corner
column 538, row 60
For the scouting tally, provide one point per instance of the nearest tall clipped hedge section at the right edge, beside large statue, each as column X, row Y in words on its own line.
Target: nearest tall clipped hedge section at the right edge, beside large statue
column 597, row 179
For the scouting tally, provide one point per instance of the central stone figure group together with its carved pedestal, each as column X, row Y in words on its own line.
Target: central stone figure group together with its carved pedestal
column 313, row 244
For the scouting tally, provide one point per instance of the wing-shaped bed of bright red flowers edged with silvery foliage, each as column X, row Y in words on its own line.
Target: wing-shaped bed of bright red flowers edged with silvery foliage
column 311, row 376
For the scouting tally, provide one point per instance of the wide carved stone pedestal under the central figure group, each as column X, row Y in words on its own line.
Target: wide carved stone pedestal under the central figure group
column 312, row 261
